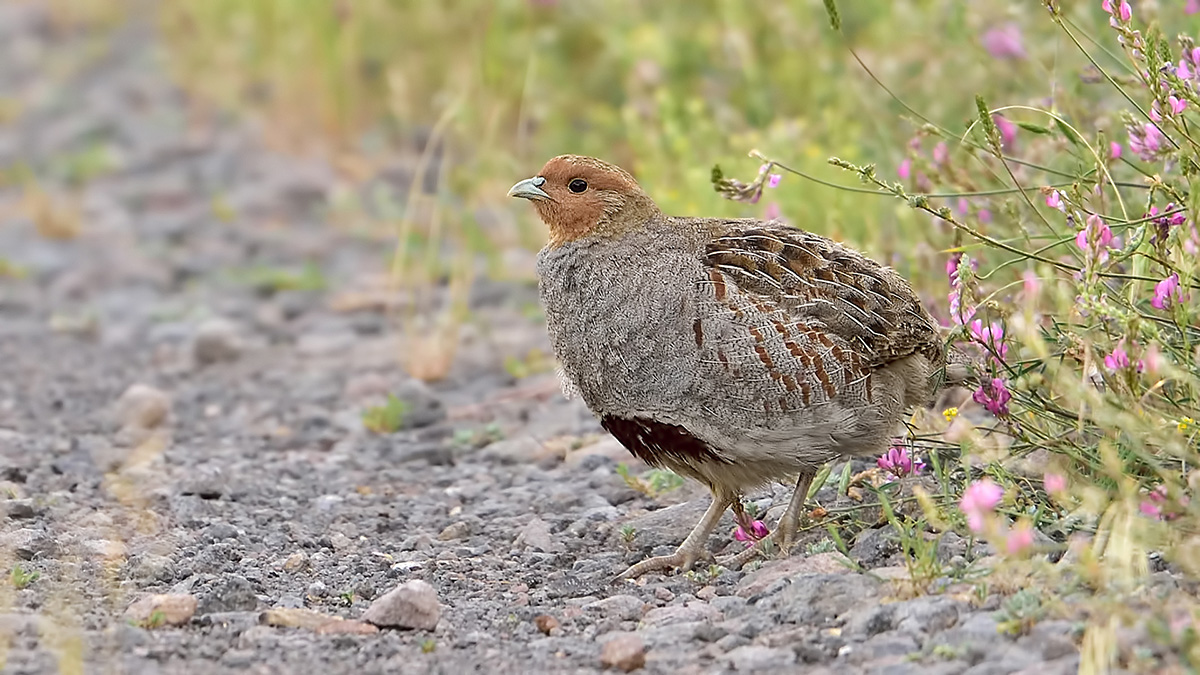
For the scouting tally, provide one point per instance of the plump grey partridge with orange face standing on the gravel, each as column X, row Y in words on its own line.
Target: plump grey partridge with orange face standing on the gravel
column 733, row 351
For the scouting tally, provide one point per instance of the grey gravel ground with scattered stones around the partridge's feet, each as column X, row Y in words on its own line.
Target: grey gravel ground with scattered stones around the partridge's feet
column 172, row 427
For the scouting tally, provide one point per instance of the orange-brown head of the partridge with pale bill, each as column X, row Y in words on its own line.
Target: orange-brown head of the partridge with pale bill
column 580, row 196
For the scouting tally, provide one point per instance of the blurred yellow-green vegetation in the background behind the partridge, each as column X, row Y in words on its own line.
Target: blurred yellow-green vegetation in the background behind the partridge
column 667, row 89
